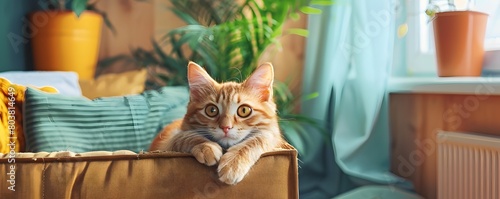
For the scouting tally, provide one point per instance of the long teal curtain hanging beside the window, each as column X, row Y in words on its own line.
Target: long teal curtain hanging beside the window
column 348, row 62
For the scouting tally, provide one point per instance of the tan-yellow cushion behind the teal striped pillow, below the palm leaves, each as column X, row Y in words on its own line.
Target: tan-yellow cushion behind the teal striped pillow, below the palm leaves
column 115, row 84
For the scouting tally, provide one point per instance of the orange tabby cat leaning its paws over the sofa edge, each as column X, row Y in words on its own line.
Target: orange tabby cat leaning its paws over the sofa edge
column 238, row 119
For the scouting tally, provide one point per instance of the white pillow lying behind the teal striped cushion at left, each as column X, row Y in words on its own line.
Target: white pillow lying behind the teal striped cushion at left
column 65, row 82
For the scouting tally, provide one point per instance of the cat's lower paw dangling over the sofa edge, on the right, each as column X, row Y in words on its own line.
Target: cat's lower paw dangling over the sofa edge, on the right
column 232, row 168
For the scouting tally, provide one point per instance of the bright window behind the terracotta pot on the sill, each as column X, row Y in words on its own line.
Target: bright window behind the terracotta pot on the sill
column 420, row 55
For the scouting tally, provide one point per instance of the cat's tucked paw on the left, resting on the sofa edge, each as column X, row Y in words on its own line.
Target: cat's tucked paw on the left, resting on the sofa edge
column 208, row 153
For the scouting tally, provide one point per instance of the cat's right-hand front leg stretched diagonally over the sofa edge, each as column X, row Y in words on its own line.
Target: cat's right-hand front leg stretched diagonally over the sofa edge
column 237, row 161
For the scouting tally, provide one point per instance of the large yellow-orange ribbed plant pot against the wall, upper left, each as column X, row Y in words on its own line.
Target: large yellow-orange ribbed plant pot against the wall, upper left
column 62, row 41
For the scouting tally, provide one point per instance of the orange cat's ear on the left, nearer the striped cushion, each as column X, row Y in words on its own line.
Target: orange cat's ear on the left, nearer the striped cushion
column 199, row 80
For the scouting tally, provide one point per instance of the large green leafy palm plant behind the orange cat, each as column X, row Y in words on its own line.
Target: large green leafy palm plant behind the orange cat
column 228, row 39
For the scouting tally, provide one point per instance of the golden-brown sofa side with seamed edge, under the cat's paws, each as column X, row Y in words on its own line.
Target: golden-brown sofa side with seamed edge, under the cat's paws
column 150, row 175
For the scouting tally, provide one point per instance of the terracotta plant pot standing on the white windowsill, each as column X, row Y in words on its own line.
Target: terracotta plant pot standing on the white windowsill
column 459, row 38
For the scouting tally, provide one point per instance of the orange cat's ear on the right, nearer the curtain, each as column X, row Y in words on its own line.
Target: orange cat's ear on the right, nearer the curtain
column 261, row 82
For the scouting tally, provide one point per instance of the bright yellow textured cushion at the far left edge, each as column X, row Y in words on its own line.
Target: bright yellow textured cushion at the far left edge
column 11, row 122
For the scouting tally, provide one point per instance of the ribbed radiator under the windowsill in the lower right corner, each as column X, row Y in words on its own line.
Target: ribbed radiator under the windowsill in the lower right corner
column 468, row 166
